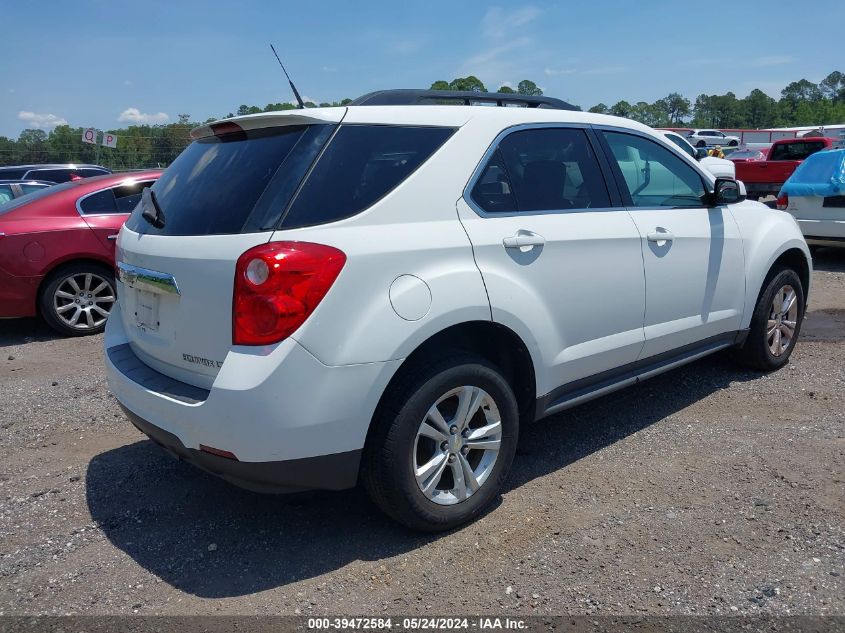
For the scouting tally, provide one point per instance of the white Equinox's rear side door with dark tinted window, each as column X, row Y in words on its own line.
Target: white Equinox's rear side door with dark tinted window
column 562, row 265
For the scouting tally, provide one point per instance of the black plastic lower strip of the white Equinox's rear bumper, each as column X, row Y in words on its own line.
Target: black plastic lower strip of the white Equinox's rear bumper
column 327, row 472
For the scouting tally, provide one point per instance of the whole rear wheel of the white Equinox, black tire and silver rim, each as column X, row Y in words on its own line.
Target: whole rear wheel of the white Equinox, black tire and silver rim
column 442, row 443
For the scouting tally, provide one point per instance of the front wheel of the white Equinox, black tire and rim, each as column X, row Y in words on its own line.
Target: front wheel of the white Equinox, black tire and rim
column 776, row 322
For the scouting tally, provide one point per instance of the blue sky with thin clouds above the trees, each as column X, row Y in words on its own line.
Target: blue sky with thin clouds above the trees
column 108, row 64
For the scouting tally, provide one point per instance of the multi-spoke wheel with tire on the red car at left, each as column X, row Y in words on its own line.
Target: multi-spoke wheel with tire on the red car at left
column 76, row 299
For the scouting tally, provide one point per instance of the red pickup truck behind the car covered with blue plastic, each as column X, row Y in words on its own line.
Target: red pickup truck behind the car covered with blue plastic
column 765, row 177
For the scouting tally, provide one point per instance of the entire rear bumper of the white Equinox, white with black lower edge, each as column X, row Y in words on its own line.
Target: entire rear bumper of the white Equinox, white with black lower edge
column 292, row 422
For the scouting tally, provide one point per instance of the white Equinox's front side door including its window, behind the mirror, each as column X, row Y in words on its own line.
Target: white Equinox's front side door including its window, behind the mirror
column 693, row 255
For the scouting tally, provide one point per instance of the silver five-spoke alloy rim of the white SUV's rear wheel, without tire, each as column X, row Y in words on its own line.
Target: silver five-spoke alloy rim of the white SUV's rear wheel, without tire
column 457, row 445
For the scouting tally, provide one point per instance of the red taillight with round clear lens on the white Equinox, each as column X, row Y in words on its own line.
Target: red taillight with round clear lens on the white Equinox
column 277, row 287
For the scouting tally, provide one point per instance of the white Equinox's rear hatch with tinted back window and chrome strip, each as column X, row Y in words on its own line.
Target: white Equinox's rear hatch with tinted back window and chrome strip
column 223, row 195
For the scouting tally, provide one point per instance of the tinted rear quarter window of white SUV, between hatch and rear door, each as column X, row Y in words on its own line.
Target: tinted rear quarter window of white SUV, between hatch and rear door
column 361, row 165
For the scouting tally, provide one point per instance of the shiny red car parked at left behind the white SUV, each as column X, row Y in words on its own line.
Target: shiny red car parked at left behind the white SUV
column 57, row 250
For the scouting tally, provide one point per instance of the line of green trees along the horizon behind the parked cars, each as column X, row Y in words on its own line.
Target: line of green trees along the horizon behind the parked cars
column 801, row 103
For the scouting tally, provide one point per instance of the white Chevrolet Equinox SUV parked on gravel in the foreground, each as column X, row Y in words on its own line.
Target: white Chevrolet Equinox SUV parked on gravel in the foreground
column 384, row 294
